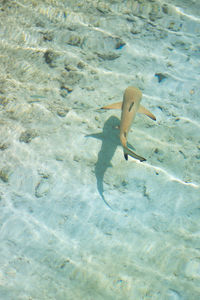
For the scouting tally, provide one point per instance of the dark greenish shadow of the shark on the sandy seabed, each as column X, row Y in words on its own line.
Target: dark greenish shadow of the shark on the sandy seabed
column 110, row 140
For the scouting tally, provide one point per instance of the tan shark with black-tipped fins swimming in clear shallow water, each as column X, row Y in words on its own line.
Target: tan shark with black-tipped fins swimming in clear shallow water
column 129, row 107
